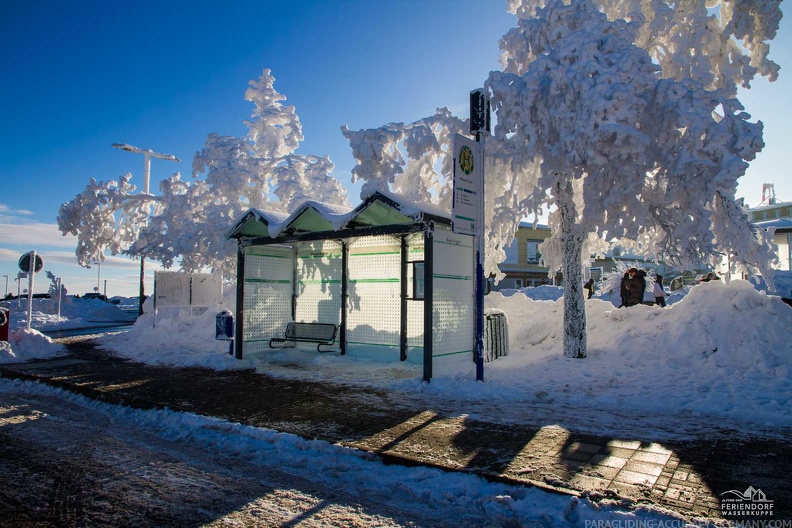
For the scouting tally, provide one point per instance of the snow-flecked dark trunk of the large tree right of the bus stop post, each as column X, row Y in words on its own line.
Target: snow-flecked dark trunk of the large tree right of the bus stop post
column 574, row 300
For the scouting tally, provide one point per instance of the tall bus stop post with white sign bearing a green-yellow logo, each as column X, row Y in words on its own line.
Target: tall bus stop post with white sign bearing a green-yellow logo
column 468, row 210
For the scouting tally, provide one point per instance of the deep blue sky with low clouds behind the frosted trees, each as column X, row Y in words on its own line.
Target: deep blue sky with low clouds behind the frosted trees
column 79, row 76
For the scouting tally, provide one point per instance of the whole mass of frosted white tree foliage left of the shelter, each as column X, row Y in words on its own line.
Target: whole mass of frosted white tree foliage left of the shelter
column 189, row 220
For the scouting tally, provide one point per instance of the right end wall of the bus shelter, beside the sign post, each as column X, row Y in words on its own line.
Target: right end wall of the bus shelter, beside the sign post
column 453, row 307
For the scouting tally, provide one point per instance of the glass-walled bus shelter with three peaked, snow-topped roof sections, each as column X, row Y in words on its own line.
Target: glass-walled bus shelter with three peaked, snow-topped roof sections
column 391, row 274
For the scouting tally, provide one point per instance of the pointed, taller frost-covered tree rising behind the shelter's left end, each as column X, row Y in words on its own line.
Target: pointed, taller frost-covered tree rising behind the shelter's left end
column 239, row 174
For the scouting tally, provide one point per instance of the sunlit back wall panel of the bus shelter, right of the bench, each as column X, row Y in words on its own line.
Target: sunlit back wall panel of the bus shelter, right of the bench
column 374, row 289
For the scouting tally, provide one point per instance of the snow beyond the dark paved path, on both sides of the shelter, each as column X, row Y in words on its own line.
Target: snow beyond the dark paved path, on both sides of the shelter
column 720, row 354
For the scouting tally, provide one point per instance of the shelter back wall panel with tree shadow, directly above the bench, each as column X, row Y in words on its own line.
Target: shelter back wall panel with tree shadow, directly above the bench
column 319, row 273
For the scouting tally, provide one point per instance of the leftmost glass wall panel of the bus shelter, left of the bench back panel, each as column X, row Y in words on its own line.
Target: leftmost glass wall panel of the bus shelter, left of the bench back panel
column 267, row 303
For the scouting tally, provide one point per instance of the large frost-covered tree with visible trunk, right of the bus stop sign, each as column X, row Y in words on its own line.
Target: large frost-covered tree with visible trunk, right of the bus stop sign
column 593, row 129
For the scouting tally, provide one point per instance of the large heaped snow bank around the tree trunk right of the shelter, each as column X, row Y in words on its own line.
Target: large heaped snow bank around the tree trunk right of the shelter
column 722, row 350
